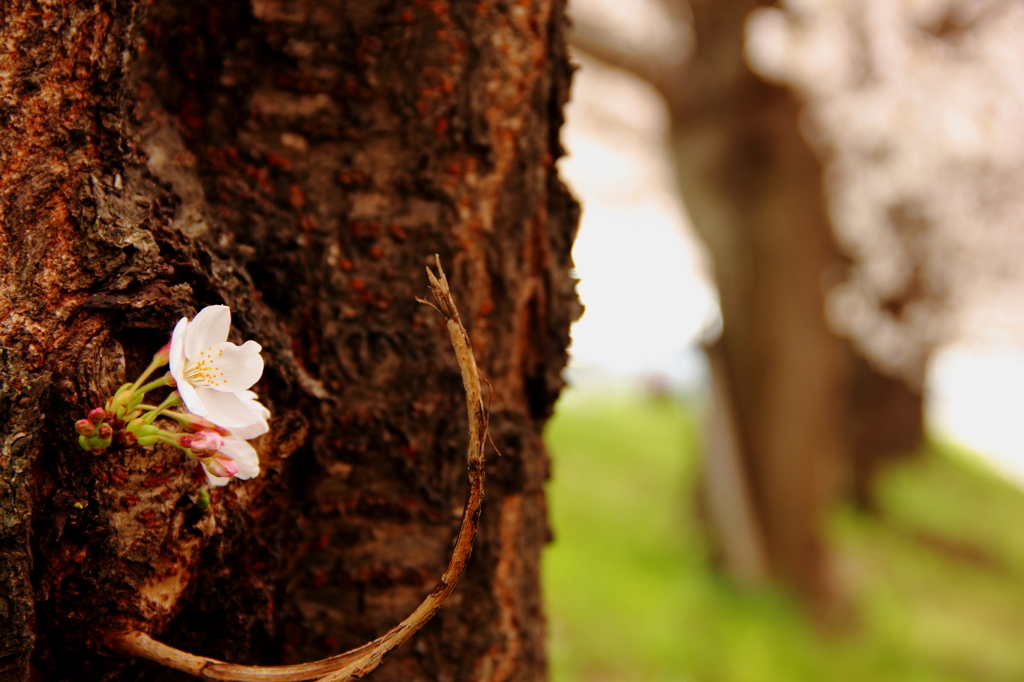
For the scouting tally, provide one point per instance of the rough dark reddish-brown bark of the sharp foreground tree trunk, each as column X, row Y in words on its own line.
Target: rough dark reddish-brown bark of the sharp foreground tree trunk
column 301, row 162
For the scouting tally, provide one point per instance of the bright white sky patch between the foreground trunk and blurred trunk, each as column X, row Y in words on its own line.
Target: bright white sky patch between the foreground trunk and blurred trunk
column 642, row 272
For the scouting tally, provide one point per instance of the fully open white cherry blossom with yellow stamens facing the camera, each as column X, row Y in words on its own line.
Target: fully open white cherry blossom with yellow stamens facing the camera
column 212, row 374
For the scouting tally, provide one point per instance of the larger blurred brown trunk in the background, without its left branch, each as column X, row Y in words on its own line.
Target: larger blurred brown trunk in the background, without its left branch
column 754, row 190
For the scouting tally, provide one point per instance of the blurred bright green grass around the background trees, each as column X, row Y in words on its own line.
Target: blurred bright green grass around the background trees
column 936, row 583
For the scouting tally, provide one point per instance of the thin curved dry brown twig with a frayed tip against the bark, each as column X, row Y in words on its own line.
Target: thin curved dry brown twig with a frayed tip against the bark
column 359, row 662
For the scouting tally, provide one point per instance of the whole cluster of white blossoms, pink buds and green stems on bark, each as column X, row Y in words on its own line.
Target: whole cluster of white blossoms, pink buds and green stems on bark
column 211, row 403
